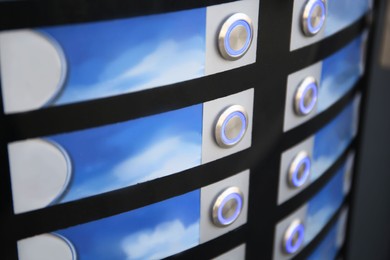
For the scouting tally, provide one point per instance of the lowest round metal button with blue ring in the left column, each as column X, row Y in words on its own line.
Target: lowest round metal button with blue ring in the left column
column 227, row 207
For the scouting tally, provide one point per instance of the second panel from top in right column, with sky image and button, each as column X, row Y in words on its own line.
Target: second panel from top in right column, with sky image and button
column 331, row 78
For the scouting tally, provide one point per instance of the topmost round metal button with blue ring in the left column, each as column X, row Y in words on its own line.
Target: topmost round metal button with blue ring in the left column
column 235, row 36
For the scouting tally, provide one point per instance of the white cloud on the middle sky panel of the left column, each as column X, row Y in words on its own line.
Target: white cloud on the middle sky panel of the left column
column 172, row 155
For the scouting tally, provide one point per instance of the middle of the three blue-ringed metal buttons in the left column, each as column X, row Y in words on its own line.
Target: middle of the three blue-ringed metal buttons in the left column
column 231, row 126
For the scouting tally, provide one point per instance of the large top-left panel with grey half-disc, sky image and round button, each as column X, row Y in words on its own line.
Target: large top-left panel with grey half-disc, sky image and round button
column 64, row 64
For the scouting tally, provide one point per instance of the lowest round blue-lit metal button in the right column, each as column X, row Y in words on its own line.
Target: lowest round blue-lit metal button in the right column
column 293, row 237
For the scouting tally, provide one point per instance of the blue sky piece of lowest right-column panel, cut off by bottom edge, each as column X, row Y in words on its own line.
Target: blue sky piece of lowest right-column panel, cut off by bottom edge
column 328, row 248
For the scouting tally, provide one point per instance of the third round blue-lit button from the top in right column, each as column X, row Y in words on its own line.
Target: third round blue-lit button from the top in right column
column 300, row 169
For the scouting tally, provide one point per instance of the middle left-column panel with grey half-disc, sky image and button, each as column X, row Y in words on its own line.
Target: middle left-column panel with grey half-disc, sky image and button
column 66, row 167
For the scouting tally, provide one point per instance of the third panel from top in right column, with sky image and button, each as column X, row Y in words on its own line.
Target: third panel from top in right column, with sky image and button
column 307, row 161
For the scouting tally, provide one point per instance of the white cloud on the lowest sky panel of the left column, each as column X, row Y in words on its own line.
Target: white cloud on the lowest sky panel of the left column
column 166, row 239
